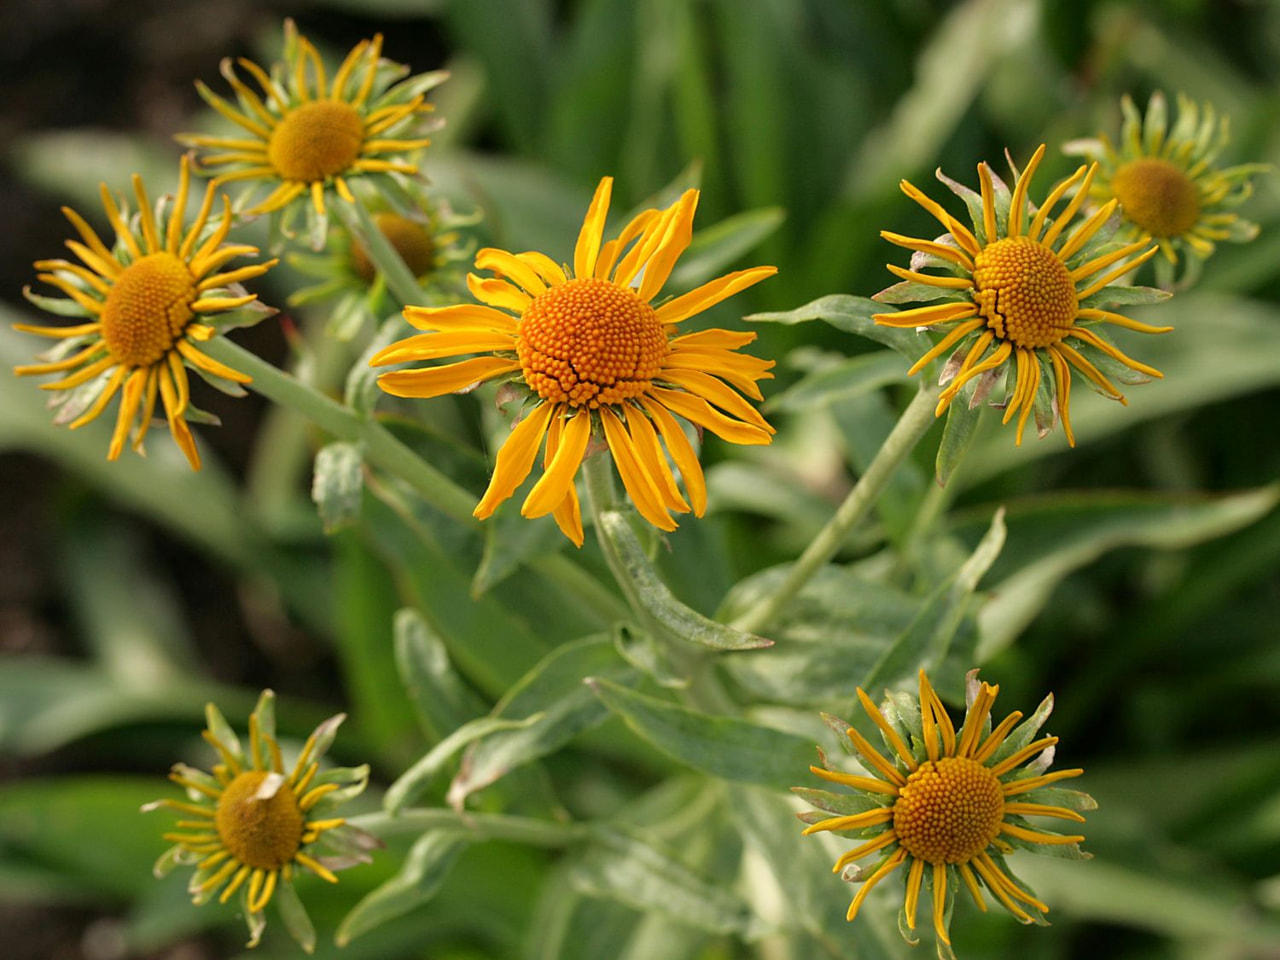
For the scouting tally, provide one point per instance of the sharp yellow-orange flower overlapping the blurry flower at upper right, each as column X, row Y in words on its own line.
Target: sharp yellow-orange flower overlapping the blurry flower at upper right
column 1023, row 294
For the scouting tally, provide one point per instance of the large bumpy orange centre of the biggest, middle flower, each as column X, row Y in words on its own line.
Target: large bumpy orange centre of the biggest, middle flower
column 589, row 344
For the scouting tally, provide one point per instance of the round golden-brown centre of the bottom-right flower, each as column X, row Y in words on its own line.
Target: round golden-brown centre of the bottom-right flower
column 949, row 811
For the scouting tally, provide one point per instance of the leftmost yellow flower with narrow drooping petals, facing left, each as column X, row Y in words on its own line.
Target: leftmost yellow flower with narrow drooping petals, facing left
column 141, row 301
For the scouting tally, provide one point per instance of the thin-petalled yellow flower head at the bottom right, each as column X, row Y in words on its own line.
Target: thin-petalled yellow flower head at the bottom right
column 948, row 804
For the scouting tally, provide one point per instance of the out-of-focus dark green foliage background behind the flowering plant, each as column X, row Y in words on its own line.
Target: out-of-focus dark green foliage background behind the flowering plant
column 131, row 593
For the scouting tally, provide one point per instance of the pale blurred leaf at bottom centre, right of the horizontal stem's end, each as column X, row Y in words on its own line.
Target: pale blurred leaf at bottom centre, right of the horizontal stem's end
column 630, row 868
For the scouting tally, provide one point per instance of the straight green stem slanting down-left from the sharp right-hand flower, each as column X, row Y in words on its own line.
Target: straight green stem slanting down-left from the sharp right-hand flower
column 911, row 428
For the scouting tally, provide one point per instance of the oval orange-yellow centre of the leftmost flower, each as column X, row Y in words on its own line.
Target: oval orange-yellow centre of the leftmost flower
column 148, row 309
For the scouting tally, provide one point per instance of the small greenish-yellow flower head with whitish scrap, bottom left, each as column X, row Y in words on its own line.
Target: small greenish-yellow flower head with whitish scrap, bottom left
column 253, row 825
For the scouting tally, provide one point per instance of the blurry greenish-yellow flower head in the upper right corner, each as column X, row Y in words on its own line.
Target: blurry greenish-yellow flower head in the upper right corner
column 1168, row 185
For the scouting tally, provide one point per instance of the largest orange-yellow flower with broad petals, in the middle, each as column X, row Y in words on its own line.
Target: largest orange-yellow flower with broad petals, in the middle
column 598, row 359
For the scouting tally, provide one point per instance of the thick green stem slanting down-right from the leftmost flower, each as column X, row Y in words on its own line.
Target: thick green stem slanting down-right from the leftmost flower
column 382, row 449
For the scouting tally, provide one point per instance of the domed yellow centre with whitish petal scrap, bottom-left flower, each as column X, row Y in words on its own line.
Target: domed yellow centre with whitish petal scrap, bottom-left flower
column 263, row 833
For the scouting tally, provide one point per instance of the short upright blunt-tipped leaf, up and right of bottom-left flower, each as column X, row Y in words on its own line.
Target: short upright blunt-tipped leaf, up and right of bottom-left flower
column 441, row 700
